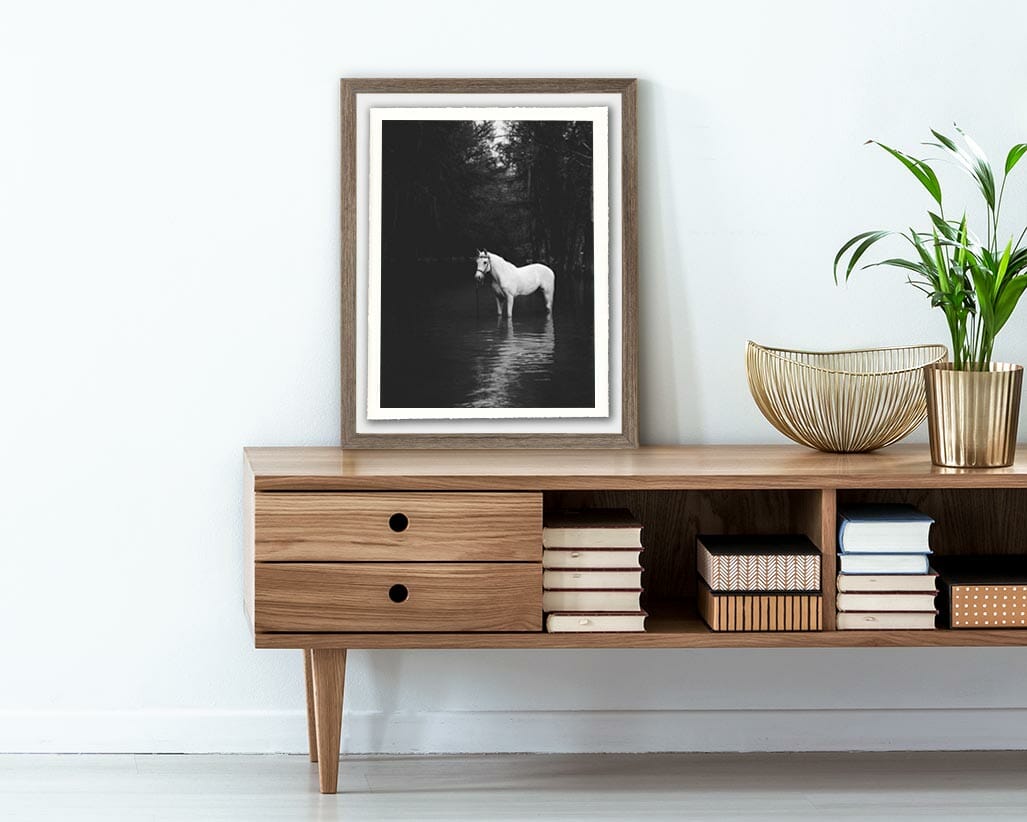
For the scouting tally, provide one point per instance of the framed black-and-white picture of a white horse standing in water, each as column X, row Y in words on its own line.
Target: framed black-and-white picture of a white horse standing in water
column 489, row 264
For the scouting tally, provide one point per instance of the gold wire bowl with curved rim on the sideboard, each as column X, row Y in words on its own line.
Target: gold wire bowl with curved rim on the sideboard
column 843, row 401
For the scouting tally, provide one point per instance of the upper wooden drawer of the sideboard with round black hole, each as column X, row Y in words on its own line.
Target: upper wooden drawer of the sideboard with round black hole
column 397, row 528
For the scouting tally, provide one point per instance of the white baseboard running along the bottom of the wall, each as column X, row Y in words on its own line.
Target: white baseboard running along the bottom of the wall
column 503, row 732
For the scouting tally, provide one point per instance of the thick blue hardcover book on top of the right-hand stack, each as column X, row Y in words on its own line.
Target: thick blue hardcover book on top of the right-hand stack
column 884, row 529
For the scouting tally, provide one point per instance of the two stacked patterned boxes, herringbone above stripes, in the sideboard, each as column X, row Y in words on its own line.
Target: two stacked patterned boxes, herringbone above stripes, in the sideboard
column 759, row 583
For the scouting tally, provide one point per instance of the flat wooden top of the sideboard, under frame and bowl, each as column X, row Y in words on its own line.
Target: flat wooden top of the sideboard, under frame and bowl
column 725, row 467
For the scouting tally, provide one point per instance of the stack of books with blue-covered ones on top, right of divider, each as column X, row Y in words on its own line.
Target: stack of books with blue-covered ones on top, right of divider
column 886, row 580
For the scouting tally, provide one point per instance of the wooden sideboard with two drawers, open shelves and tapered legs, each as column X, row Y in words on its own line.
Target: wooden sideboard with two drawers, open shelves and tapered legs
column 443, row 549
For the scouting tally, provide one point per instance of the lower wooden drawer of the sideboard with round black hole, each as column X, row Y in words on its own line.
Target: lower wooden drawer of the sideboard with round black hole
column 399, row 596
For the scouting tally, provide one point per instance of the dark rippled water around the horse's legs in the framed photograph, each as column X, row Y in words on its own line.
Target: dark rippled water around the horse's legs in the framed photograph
column 447, row 349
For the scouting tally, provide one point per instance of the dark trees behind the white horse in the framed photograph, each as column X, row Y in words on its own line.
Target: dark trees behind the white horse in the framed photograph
column 521, row 189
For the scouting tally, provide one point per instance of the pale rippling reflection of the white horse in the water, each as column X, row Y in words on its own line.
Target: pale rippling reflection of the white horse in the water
column 510, row 357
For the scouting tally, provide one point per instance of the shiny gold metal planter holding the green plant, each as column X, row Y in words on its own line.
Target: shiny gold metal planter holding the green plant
column 973, row 416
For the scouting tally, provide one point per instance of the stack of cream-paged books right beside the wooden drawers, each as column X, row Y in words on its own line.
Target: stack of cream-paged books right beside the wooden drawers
column 592, row 572
